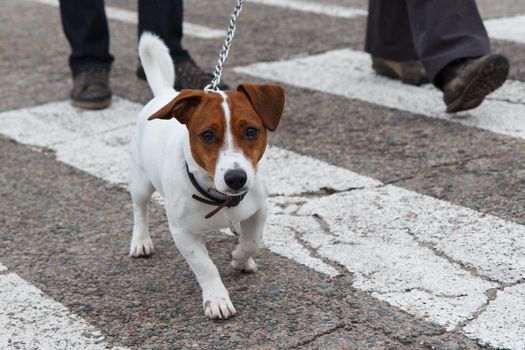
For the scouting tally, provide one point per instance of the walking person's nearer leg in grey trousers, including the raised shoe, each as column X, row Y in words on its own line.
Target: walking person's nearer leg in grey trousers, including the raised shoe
column 453, row 45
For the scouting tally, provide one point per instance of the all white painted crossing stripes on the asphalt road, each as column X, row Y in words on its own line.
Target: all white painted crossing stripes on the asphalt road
column 444, row 263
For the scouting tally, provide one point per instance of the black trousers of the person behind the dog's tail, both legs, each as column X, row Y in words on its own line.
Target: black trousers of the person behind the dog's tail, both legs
column 86, row 28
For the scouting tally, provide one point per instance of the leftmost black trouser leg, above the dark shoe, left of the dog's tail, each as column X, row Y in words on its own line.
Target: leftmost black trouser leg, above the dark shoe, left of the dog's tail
column 86, row 29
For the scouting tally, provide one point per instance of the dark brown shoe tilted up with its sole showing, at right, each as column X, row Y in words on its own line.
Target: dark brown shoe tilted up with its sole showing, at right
column 465, row 83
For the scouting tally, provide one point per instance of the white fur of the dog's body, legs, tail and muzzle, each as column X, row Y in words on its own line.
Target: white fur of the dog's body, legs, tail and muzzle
column 159, row 151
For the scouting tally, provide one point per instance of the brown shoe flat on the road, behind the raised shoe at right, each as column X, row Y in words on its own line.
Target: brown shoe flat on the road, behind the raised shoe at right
column 409, row 72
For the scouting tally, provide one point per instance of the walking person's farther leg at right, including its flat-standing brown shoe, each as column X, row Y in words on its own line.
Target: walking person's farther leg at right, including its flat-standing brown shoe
column 389, row 42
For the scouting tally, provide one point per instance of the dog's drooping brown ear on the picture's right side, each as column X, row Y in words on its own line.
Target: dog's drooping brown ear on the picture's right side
column 267, row 100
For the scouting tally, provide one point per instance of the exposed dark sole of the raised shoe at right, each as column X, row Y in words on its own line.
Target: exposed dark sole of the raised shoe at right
column 490, row 76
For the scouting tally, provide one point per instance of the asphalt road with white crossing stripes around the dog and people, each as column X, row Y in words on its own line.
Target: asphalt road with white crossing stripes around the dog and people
column 392, row 224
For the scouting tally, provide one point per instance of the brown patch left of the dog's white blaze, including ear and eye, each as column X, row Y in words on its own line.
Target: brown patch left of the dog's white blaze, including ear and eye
column 204, row 118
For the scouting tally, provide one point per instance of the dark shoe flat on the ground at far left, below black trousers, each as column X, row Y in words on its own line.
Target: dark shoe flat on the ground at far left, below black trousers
column 91, row 89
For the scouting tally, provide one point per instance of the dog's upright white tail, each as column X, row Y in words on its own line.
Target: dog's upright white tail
column 157, row 63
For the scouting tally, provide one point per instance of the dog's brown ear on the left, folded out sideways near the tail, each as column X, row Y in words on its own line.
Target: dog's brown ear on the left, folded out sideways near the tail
column 181, row 107
